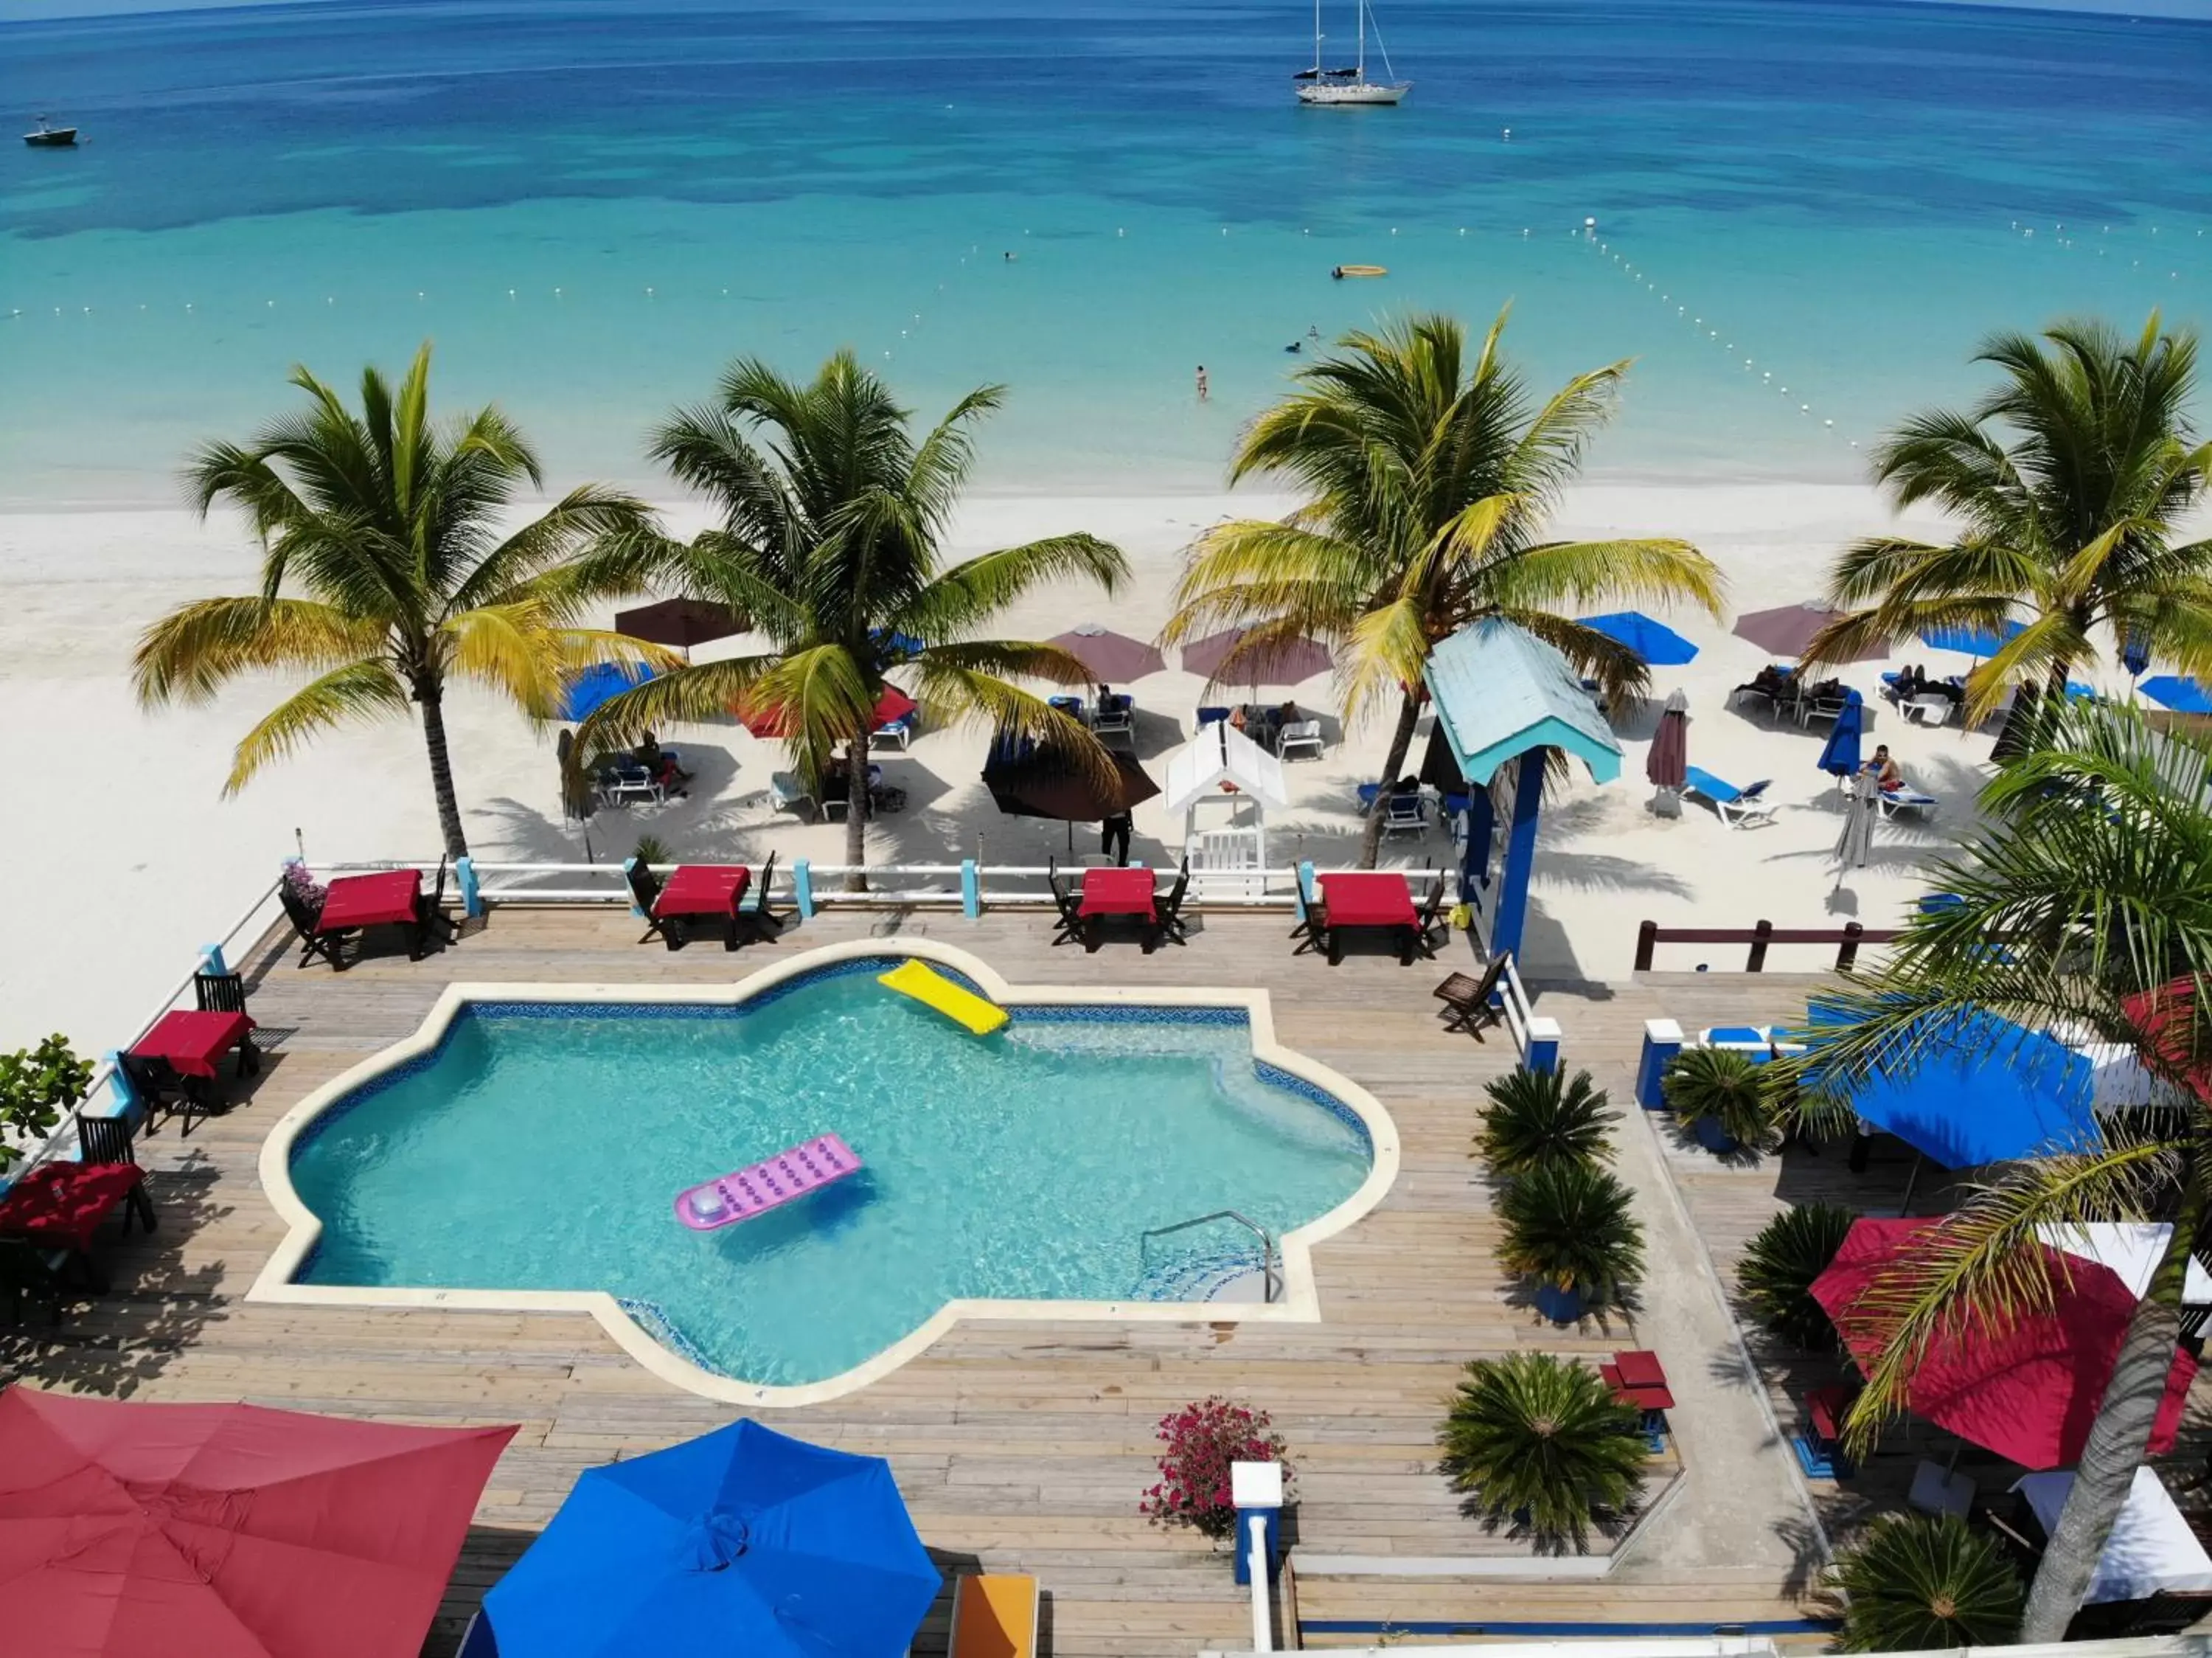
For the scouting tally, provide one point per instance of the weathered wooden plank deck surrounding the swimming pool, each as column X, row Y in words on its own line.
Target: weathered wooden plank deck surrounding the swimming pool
column 1019, row 1444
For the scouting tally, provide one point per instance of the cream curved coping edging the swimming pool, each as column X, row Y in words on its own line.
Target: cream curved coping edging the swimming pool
column 1302, row 1296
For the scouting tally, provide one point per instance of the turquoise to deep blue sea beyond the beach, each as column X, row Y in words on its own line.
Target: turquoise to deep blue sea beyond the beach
column 589, row 207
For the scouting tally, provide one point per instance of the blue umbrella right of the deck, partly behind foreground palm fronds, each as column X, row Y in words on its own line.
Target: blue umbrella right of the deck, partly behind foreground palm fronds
column 1974, row 1088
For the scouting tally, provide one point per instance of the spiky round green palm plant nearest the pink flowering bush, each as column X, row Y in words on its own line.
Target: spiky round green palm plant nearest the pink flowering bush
column 1545, row 1444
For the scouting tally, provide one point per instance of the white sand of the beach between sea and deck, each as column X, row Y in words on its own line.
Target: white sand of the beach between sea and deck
column 125, row 856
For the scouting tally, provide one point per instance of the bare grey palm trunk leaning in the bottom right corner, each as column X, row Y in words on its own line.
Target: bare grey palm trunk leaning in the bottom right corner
column 2120, row 1436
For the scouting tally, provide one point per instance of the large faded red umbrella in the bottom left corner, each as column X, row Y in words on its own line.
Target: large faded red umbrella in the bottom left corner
column 227, row 1531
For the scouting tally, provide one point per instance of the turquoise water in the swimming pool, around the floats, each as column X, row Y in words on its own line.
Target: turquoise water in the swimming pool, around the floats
column 543, row 1148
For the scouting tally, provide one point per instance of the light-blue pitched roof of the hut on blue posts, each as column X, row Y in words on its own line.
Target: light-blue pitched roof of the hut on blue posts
column 1503, row 692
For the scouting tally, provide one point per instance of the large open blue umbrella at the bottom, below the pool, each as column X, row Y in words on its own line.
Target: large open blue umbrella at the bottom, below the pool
column 740, row 1542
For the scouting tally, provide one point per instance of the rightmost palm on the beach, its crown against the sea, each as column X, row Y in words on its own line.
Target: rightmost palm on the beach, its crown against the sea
column 2069, row 484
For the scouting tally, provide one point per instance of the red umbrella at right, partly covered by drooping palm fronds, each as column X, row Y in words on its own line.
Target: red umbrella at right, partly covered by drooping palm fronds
column 2025, row 1389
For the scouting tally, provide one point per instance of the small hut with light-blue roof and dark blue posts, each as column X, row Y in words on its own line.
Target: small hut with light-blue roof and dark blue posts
column 1503, row 703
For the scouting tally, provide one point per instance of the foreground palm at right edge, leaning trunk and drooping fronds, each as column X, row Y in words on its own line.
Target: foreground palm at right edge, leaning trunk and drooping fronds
column 2085, row 904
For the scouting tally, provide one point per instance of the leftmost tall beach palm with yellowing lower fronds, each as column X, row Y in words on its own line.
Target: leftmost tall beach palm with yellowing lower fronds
column 393, row 532
